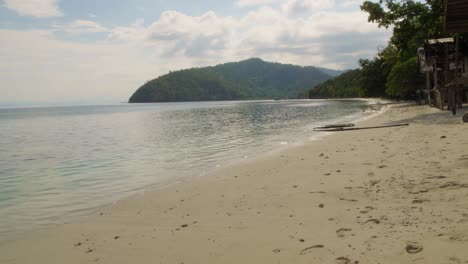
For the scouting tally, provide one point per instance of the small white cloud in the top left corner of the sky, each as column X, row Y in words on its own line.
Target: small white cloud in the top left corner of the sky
column 35, row 8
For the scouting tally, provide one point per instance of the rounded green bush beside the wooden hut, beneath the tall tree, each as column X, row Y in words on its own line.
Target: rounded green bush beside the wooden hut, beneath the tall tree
column 404, row 79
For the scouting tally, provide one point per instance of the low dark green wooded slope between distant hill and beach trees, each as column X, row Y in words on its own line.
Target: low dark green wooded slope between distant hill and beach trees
column 348, row 84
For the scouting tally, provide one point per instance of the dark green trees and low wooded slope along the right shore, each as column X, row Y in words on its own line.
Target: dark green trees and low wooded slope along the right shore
column 394, row 71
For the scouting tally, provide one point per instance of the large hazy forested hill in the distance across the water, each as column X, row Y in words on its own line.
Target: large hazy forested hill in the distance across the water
column 248, row 79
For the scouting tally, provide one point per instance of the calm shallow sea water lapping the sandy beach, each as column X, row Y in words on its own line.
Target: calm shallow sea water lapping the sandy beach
column 60, row 163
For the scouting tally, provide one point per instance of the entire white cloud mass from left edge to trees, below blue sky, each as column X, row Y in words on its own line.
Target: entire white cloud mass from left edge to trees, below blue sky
column 133, row 54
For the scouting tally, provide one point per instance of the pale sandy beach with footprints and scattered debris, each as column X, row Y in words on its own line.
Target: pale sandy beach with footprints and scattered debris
column 390, row 195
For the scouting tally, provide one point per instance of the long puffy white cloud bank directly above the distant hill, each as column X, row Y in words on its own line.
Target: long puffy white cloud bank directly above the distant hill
column 265, row 32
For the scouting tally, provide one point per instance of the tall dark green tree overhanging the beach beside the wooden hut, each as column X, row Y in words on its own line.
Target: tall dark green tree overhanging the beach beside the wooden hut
column 413, row 23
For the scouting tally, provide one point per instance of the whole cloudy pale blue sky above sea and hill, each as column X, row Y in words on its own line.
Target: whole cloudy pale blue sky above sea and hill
column 101, row 51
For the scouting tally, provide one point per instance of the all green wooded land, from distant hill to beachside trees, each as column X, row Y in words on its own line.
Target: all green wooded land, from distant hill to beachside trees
column 393, row 72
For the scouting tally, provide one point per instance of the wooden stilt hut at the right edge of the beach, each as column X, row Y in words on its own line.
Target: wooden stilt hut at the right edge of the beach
column 445, row 61
